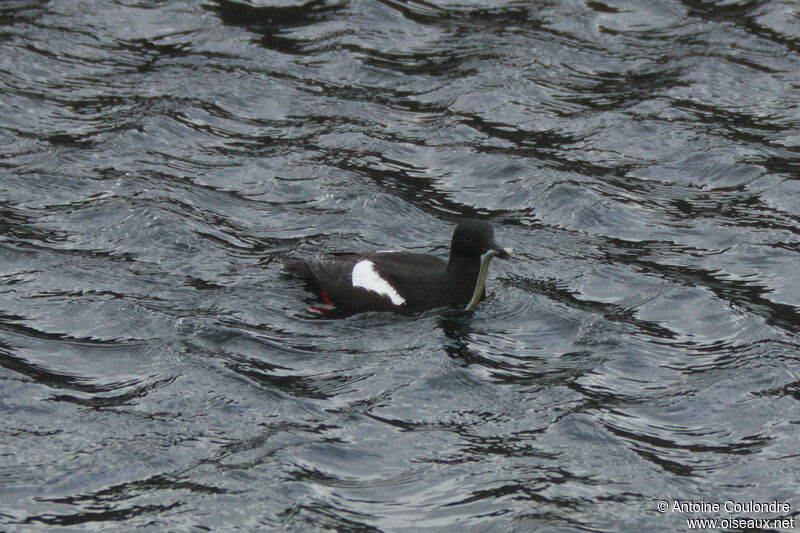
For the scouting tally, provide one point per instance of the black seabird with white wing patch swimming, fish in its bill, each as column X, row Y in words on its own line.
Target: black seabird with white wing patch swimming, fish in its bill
column 405, row 281
